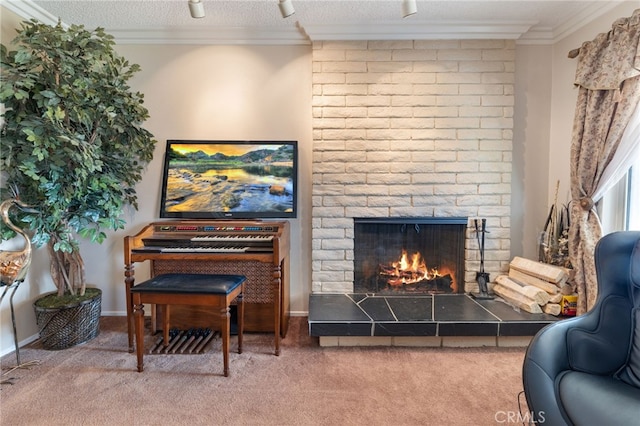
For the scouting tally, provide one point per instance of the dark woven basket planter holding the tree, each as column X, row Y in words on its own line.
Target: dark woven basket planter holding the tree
column 70, row 325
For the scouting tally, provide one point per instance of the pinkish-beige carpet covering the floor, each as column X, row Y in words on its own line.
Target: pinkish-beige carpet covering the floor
column 97, row 384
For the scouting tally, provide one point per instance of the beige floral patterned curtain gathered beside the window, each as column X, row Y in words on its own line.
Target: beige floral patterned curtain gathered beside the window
column 608, row 80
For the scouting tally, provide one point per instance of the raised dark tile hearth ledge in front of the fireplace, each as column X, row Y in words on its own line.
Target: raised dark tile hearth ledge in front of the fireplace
column 424, row 315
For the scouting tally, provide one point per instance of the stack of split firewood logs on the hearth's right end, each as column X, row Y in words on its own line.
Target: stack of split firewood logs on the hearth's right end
column 533, row 286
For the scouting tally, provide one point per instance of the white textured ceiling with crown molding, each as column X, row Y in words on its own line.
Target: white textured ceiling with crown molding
column 254, row 20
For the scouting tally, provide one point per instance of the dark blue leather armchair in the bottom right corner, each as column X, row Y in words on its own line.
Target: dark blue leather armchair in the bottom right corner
column 586, row 370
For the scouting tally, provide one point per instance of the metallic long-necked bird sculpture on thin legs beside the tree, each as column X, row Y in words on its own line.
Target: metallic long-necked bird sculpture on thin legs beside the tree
column 14, row 264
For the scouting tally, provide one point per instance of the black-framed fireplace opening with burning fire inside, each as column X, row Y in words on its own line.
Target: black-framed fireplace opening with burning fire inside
column 409, row 255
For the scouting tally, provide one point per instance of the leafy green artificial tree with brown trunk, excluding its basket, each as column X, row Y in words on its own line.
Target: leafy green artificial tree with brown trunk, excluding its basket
column 73, row 145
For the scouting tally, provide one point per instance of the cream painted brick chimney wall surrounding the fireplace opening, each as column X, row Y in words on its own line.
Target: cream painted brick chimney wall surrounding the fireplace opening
column 410, row 128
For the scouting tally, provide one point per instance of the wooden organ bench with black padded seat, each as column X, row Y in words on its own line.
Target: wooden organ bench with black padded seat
column 213, row 290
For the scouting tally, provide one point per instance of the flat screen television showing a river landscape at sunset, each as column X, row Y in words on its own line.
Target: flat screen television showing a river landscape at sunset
column 229, row 179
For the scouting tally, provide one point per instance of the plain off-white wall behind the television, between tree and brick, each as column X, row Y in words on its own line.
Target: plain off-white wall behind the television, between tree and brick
column 218, row 92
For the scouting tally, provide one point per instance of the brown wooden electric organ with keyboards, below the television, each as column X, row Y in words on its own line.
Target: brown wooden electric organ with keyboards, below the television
column 256, row 249
